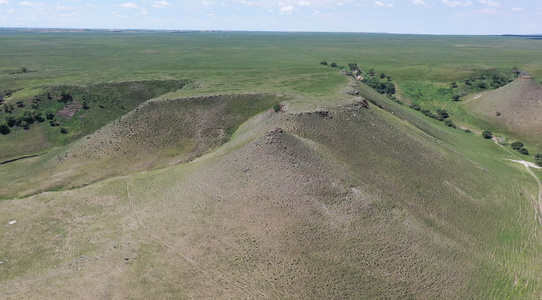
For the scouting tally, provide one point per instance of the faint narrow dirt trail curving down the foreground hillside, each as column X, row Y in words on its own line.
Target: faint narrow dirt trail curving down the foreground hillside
column 209, row 273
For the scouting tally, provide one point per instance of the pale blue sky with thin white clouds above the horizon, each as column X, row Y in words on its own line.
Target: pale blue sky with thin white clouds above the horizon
column 473, row 17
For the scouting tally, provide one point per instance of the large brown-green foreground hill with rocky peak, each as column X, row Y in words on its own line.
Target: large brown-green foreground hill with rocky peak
column 345, row 204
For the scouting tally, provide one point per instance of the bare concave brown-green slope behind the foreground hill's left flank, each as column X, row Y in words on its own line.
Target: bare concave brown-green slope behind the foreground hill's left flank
column 157, row 133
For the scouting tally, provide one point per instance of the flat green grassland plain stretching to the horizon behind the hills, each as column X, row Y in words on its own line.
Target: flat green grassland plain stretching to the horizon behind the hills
column 286, row 62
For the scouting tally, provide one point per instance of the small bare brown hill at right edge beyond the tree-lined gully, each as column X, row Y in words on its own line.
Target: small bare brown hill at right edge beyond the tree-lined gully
column 515, row 109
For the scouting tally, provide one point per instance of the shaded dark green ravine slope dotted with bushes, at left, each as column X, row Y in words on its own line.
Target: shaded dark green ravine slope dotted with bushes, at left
column 65, row 113
